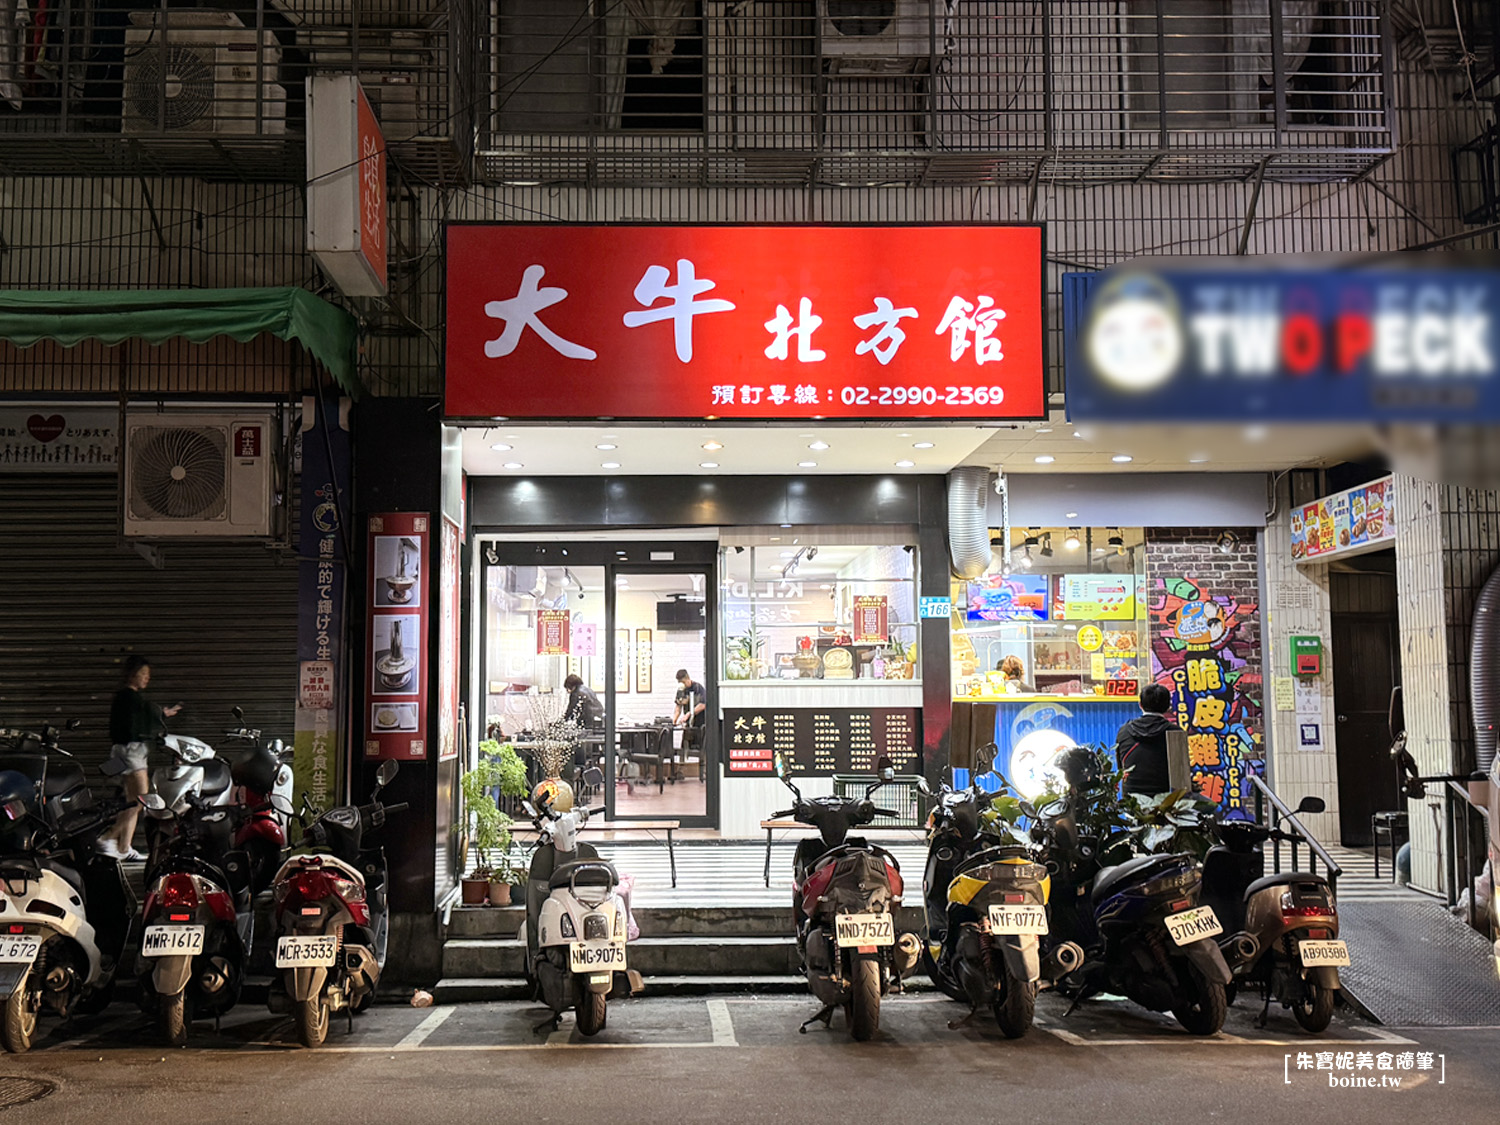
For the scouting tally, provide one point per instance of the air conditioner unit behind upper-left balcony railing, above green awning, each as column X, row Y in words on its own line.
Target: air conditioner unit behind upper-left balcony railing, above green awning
column 202, row 73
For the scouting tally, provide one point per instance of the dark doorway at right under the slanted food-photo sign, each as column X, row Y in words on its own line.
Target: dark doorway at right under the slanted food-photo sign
column 1366, row 658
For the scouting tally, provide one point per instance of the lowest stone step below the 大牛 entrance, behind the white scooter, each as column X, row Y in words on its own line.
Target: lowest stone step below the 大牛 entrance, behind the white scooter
column 680, row 955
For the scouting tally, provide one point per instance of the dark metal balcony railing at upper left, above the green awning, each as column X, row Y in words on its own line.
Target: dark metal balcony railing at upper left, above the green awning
column 164, row 88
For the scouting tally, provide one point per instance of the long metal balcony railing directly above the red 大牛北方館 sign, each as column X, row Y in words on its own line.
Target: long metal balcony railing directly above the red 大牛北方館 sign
column 874, row 92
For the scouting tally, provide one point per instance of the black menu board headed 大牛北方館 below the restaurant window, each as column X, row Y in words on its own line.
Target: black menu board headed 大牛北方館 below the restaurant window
column 815, row 740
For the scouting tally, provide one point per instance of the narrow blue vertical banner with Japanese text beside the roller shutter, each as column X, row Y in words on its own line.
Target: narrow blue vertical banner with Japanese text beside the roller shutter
column 323, row 574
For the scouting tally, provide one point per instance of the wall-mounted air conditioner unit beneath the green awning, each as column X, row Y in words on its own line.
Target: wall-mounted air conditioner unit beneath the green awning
column 200, row 475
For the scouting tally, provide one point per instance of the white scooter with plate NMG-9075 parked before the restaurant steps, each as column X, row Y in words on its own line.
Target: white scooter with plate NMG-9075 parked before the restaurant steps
column 577, row 925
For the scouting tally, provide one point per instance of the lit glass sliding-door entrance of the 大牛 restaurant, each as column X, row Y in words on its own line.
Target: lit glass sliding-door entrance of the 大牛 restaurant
column 595, row 634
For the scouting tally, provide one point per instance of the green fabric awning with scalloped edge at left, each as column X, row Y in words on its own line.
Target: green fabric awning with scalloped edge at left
column 157, row 316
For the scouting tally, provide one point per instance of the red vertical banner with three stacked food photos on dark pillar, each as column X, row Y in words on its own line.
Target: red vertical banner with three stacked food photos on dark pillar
column 397, row 649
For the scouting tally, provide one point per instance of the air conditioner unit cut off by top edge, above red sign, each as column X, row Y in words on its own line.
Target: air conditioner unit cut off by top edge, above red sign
column 881, row 37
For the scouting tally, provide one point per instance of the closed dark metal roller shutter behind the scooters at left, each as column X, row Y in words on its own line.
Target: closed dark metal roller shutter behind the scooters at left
column 218, row 622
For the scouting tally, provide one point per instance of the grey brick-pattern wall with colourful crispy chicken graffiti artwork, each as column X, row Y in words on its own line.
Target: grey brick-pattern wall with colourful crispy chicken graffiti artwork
column 1205, row 647
